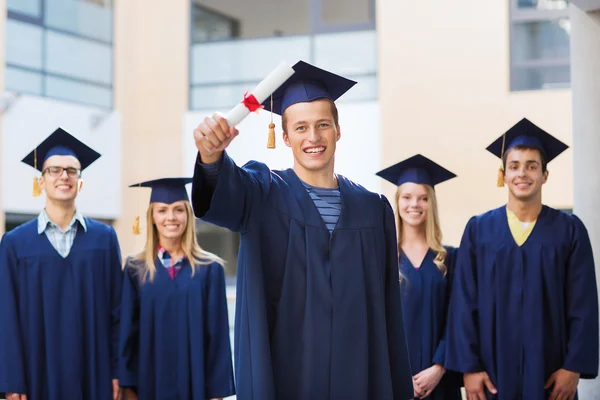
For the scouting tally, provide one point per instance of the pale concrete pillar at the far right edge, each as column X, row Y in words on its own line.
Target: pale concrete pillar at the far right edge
column 585, row 83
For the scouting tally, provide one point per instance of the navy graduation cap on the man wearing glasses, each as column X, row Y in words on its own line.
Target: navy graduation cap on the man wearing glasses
column 59, row 143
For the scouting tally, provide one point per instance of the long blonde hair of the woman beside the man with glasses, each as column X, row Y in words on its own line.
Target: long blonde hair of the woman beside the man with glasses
column 192, row 250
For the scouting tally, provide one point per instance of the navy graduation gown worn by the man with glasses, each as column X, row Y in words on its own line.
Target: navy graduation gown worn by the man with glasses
column 60, row 315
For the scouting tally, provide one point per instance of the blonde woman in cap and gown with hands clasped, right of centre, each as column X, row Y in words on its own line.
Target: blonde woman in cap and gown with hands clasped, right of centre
column 425, row 271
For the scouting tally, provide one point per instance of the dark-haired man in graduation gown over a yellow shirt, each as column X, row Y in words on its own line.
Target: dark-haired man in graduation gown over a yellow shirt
column 523, row 319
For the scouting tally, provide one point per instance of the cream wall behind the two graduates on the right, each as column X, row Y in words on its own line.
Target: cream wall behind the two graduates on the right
column 443, row 87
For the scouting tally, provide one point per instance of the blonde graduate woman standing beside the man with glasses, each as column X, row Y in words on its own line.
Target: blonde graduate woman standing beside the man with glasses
column 174, row 338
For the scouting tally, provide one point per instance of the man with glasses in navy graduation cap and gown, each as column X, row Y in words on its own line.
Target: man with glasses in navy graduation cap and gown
column 60, row 289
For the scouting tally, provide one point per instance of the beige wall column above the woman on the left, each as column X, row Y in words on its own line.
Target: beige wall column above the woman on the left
column 151, row 91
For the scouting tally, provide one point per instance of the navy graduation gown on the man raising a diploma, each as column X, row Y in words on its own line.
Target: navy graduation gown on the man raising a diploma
column 318, row 315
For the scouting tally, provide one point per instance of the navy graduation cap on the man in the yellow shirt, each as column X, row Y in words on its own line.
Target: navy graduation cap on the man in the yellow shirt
column 526, row 133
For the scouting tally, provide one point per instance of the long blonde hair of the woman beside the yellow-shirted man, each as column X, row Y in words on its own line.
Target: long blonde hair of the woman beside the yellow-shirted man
column 433, row 232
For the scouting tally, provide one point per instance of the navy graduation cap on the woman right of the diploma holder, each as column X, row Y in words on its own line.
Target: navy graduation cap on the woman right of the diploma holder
column 416, row 169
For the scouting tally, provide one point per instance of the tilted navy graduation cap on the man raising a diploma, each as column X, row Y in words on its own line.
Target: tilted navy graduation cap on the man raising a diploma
column 308, row 83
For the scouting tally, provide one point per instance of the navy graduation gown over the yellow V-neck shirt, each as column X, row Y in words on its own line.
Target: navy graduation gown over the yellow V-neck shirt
column 521, row 313
